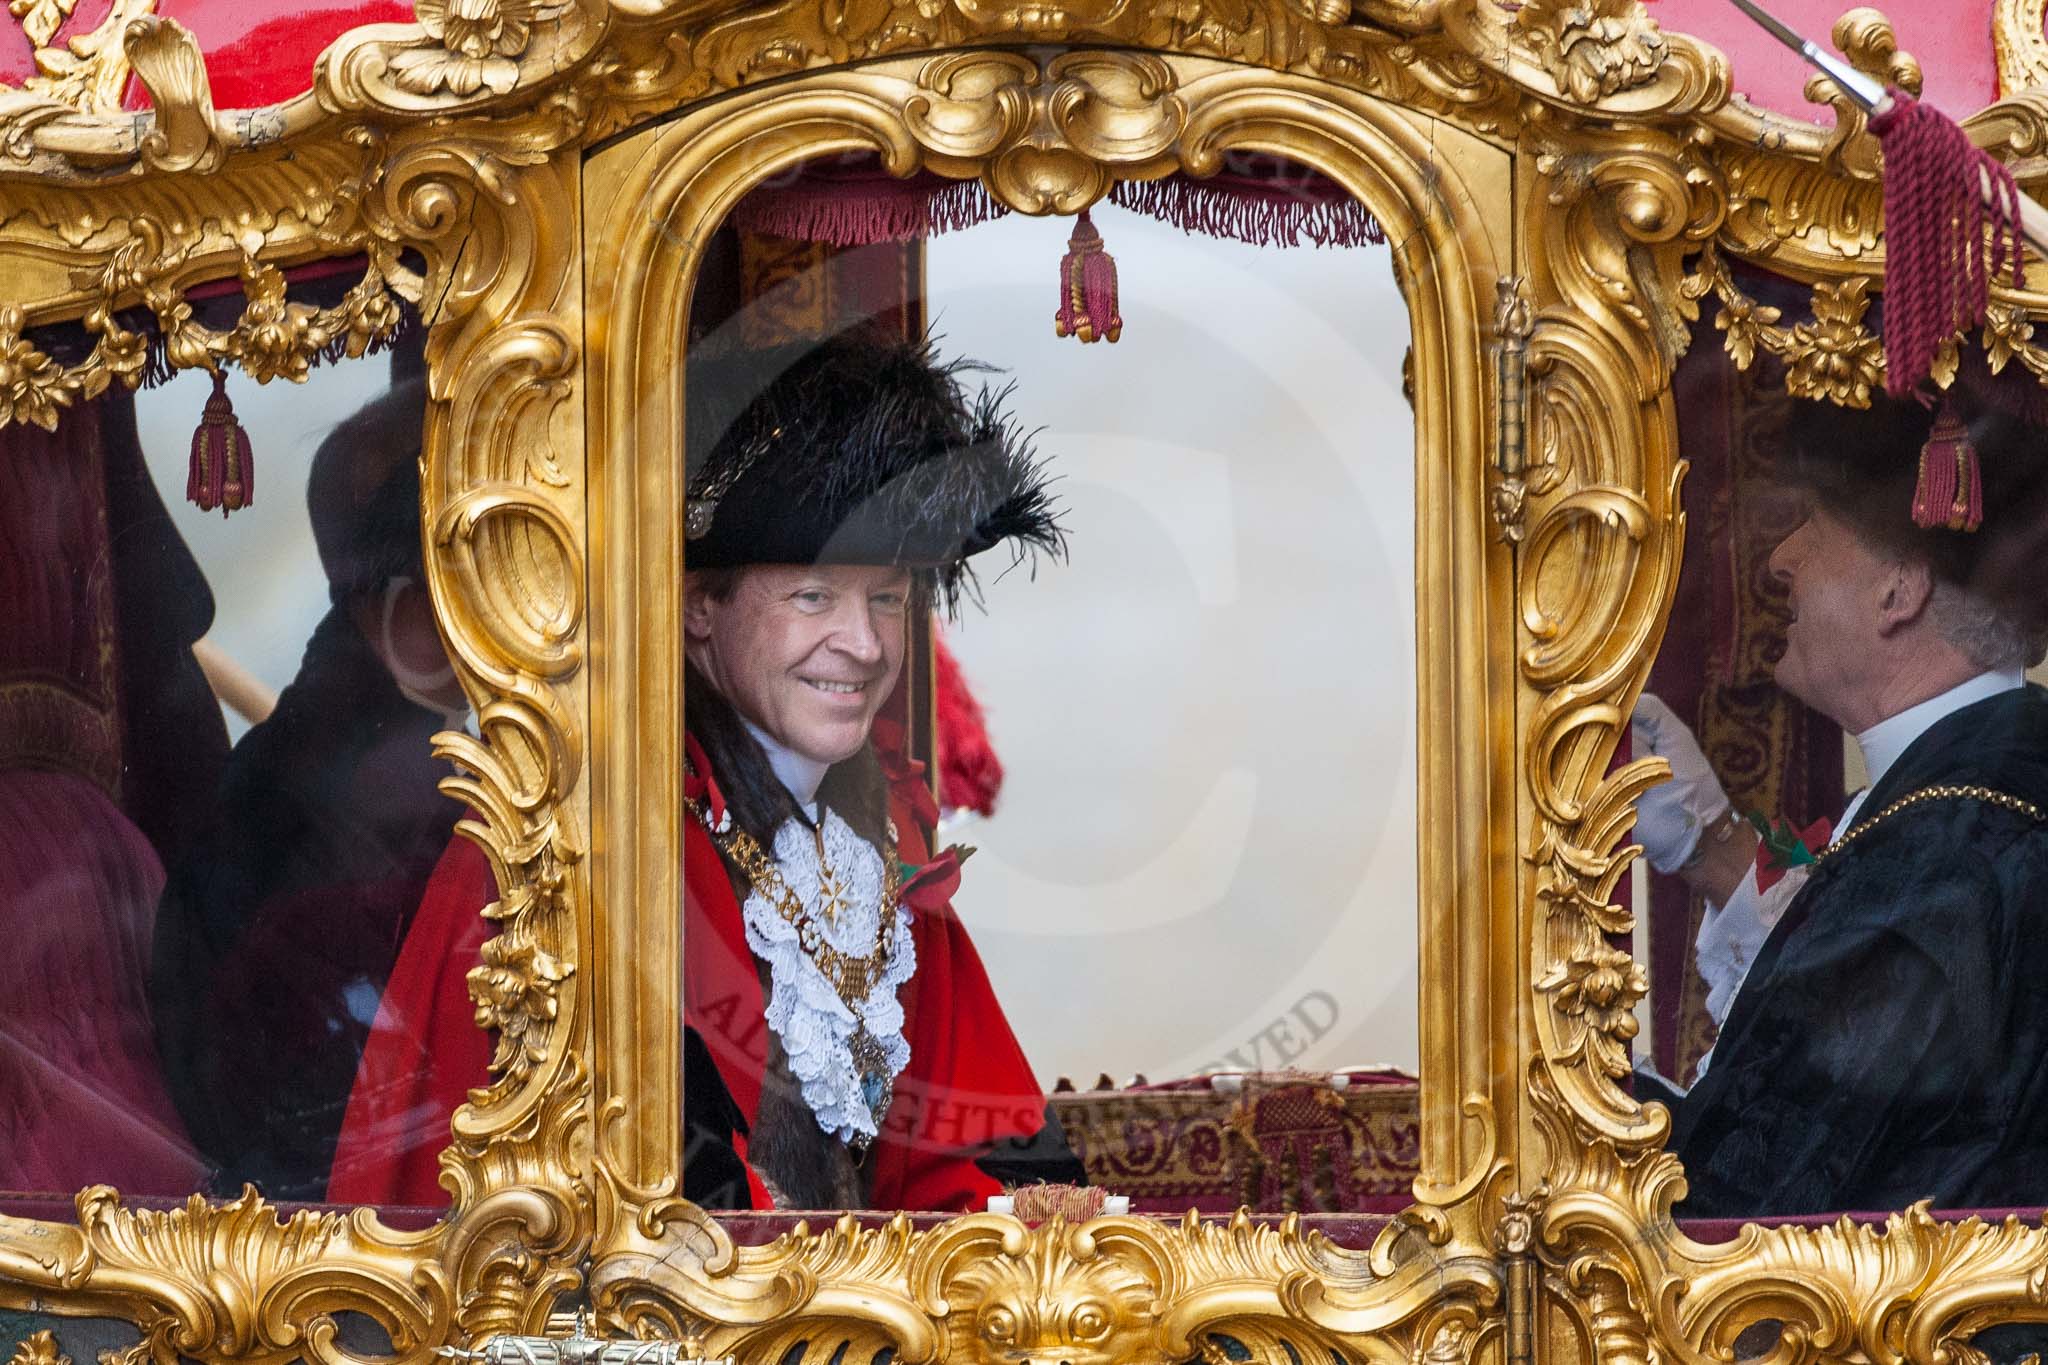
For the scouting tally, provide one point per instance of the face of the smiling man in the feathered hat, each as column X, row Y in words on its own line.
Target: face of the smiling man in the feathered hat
column 808, row 654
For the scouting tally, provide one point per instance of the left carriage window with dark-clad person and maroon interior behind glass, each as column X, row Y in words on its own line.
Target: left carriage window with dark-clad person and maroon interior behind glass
column 216, row 762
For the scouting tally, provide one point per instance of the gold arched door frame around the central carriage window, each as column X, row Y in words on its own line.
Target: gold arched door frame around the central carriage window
column 1046, row 130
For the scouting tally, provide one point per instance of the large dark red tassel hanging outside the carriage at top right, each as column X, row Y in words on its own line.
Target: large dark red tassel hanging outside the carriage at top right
column 1938, row 265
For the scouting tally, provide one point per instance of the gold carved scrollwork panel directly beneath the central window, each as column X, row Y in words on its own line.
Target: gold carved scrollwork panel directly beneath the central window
column 990, row 1288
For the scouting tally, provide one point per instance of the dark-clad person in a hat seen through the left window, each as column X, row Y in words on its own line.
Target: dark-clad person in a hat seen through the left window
column 280, row 926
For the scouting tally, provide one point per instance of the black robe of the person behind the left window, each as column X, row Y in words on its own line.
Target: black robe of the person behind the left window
column 280, row 928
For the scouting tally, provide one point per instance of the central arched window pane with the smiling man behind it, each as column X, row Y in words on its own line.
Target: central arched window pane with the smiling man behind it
column 1181, row 961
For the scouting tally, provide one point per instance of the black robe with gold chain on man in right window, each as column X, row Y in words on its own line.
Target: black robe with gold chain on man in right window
column 1891, row 1041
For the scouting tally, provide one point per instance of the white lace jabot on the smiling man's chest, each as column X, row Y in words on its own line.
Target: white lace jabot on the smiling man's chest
column 804, row 1010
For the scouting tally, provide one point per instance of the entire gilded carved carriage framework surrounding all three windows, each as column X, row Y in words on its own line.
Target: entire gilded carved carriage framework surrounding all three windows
column 1543, row 1221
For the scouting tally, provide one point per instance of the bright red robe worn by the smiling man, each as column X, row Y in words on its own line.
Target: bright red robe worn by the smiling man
column 968, row 1084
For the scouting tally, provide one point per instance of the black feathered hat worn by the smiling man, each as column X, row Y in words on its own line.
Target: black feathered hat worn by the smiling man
column 863, row 453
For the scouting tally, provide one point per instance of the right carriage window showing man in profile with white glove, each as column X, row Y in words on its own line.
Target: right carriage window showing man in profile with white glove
column 1838, row 877
